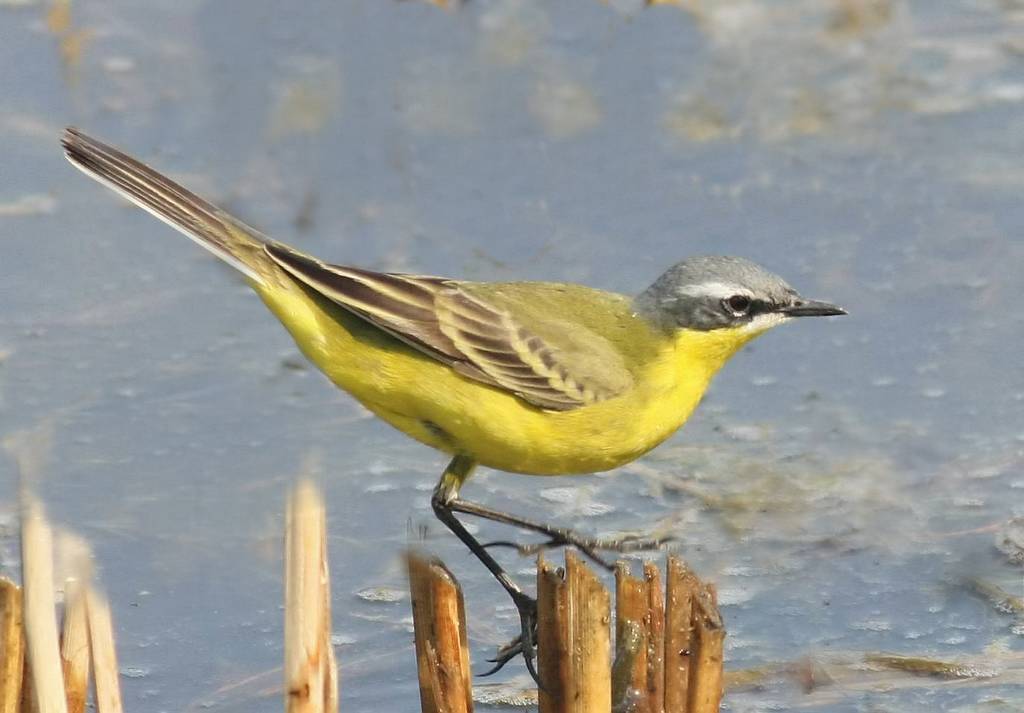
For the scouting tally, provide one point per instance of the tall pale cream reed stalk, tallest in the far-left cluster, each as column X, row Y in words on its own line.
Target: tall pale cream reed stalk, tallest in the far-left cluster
column 40, row 621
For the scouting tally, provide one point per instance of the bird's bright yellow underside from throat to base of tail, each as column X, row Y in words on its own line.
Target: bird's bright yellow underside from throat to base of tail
column 429, row 401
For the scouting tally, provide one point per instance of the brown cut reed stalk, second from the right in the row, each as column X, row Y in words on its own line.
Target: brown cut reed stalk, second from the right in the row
column 681, row 585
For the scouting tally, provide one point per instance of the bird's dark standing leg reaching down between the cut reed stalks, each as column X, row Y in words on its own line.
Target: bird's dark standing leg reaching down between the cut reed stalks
column 447, row 493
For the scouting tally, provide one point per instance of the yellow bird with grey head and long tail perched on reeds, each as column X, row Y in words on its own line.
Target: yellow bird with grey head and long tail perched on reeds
column 538, row 379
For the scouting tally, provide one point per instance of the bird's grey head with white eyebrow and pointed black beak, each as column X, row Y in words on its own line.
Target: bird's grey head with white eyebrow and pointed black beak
column 718, row 292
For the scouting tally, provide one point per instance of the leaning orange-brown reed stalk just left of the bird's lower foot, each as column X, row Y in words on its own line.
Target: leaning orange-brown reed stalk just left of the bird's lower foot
column 442, row 641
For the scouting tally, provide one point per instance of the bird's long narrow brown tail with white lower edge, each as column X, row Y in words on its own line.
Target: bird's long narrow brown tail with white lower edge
column 225, row 236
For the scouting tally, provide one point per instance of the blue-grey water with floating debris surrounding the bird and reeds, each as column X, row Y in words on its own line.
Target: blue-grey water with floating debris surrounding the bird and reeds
column 850, row 485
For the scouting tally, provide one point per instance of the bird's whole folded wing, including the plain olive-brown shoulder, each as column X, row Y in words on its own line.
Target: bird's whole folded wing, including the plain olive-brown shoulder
column 557, row 365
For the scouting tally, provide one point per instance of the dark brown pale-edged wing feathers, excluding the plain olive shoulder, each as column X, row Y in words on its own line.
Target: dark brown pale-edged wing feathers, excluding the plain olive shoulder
column 444, row 321
